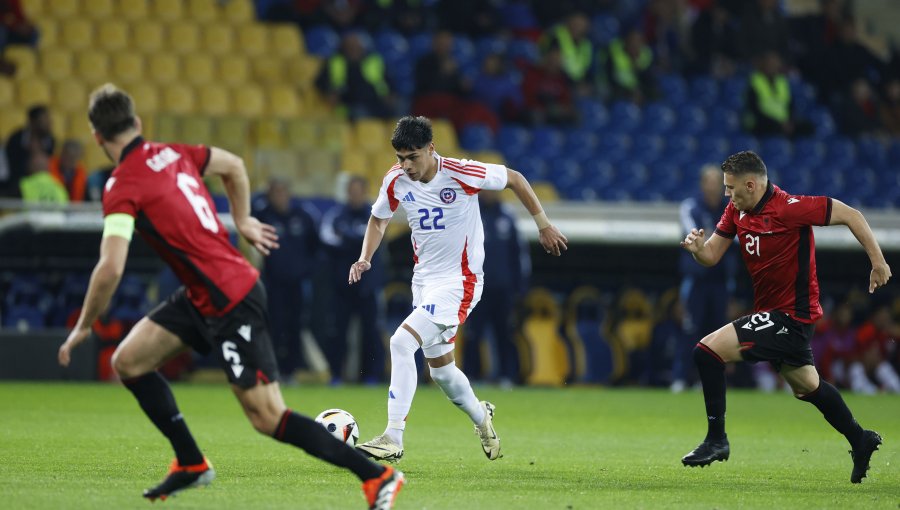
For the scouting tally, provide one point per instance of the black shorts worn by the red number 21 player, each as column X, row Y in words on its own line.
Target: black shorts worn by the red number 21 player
column 775, row 337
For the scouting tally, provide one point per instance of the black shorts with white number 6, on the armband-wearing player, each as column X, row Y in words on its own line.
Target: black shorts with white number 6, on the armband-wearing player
column 240, row 337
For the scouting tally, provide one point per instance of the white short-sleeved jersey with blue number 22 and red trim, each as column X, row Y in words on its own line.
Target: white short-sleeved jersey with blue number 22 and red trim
column 447, row 236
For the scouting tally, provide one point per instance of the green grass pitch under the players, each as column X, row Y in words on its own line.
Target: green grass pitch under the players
column 72, row 446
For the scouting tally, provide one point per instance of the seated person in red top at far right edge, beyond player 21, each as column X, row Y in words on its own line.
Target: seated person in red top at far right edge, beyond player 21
column 874, row 341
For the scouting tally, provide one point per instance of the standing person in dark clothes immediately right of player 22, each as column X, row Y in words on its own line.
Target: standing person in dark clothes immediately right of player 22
column 507, row 266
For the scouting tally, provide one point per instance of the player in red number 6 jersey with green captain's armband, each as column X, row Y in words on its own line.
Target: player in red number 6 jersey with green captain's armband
column 158, row 189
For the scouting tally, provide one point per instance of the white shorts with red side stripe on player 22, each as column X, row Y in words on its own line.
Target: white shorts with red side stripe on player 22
column 447, row 305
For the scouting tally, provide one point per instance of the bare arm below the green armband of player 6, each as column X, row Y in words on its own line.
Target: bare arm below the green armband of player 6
column 104, row 280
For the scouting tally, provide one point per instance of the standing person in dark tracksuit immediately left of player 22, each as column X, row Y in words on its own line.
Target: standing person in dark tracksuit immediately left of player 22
column 342, row 232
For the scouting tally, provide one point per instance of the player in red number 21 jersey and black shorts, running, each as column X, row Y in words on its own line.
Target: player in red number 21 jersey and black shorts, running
column 774, row 230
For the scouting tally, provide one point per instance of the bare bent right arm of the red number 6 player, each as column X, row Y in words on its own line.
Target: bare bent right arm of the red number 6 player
column 237, row 186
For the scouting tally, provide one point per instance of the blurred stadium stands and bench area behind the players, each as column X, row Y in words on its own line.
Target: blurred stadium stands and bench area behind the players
column 630, row 103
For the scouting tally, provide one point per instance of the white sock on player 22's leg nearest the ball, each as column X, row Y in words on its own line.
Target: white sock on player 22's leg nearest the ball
column 403, row 382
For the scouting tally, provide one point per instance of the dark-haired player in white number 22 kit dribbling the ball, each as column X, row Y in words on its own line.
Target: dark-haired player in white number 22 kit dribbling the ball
column 440, row 198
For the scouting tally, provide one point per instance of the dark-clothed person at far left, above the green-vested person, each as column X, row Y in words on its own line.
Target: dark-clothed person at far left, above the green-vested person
column 35, row 137
